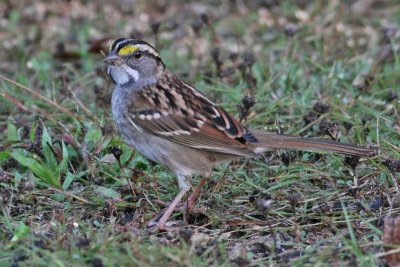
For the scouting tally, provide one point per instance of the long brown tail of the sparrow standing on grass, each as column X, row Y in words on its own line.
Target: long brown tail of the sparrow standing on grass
column 276, row 141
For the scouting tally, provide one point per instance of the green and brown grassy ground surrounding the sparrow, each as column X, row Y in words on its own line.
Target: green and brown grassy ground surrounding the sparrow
column 74, row 194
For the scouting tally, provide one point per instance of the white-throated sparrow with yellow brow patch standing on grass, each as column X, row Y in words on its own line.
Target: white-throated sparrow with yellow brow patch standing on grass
column 172, row 123
